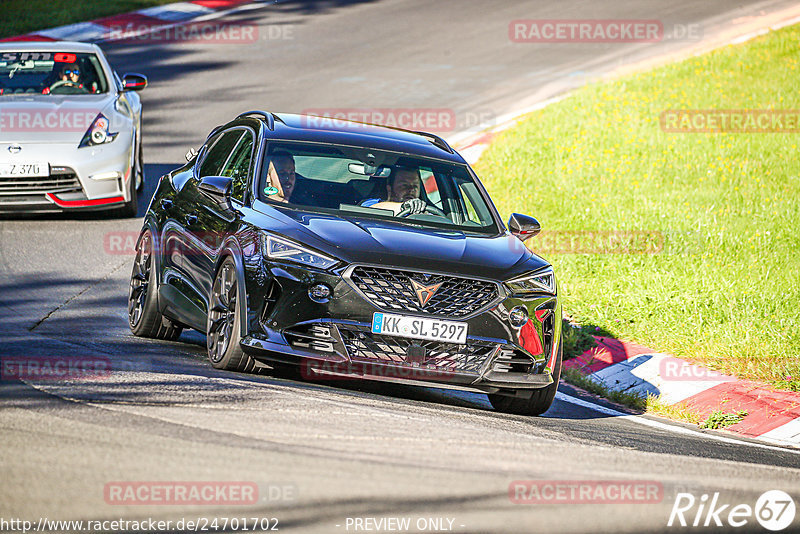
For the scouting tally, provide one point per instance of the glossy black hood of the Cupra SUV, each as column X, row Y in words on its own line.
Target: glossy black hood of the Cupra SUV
column 355, row 240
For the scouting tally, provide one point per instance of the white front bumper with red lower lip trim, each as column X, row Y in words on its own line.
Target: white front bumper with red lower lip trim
column 89, row 178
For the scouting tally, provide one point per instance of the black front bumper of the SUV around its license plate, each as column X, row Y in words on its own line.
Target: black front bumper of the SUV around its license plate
column 334, row 339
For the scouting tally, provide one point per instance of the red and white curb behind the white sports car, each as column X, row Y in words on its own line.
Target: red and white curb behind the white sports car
column 135, row 23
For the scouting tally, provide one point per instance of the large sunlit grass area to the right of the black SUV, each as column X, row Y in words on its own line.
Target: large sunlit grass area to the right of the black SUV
column 725, row 288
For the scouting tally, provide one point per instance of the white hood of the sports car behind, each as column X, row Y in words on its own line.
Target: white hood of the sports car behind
column 50, row 118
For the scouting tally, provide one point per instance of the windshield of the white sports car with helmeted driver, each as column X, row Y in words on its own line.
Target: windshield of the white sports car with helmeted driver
column 50, row 73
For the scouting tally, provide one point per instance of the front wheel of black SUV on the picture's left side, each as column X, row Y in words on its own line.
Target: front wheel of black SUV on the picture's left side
column 224, row 322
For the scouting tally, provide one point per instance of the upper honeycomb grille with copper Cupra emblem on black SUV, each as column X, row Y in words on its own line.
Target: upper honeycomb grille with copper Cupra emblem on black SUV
column 392, row 290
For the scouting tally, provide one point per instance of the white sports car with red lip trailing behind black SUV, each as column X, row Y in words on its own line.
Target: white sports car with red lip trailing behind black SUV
column 70, row 130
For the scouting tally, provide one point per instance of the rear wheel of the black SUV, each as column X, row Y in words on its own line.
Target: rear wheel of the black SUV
column 143, row 316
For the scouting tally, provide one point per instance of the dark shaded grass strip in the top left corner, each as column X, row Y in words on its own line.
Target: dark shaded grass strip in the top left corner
column 25, row 16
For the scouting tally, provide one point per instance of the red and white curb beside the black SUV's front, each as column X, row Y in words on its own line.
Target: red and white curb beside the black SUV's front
column 773, row 416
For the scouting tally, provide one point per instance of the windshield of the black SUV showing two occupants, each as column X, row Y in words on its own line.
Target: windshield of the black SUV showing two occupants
column 363, row 182
